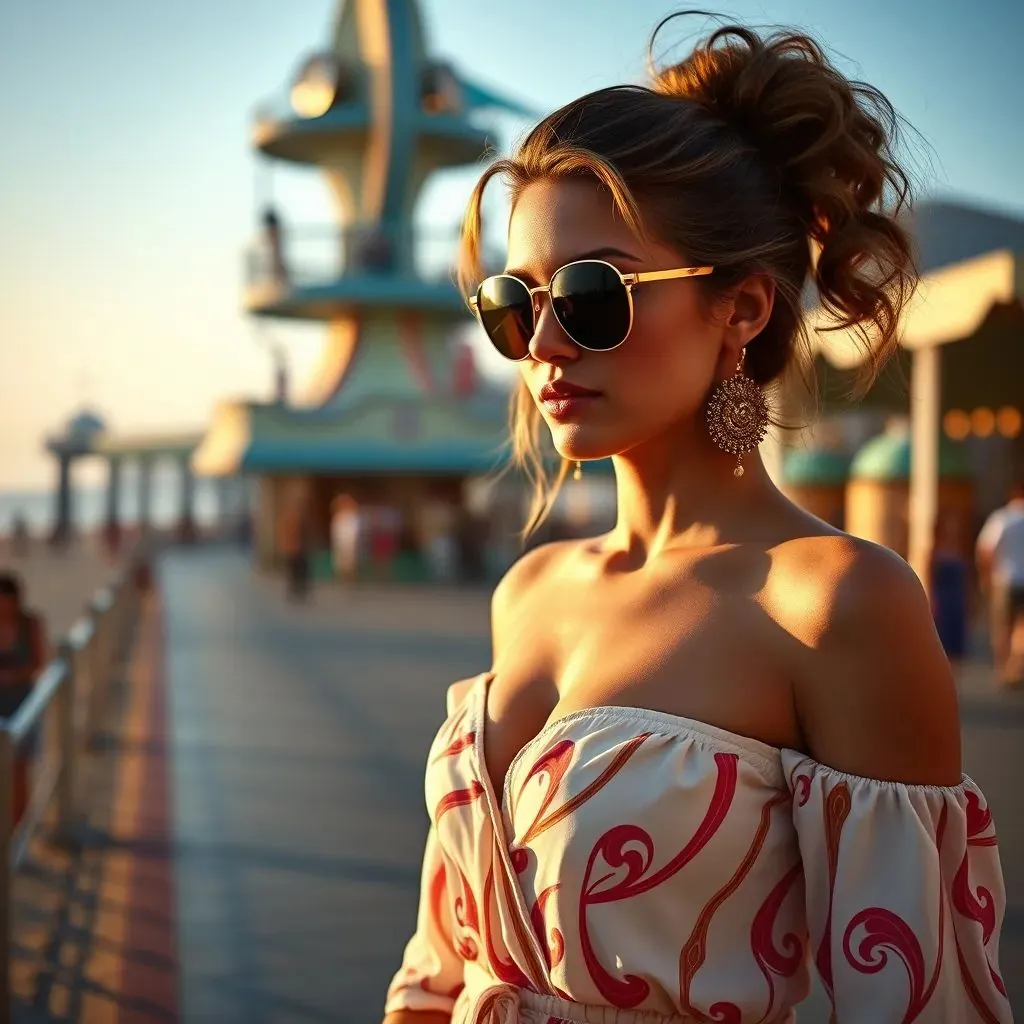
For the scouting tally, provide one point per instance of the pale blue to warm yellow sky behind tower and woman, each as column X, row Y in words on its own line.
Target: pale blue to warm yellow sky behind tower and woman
column 130, row 191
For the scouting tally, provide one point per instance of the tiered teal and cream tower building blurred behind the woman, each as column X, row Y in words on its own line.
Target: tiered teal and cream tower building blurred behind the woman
column 397, row 418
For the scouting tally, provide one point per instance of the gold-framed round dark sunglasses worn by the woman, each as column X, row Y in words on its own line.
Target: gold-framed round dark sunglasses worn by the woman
column 591, row 300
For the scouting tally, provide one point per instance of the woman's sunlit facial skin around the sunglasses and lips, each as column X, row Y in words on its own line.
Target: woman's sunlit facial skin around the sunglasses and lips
column 661, row 376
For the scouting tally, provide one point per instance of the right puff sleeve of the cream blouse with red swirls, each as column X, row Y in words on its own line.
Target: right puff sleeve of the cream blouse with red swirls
column 905, row 897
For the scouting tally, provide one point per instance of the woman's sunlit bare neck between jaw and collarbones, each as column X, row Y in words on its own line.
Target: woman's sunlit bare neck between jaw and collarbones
column 681, row 493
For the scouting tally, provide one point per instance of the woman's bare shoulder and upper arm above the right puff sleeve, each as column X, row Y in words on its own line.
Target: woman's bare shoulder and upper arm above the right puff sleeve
column 874, row 691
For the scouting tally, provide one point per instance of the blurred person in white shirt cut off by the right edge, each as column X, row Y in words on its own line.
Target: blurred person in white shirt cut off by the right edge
column 1000, row 557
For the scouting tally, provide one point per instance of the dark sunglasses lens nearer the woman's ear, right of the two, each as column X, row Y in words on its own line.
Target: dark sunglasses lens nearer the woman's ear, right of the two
column 591, row 304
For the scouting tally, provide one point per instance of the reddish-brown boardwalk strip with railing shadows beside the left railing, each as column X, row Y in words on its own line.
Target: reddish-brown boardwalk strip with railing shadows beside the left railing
column 95, row 922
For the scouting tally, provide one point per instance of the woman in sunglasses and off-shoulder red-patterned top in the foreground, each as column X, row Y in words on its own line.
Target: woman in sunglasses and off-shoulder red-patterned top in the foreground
column 720, row 742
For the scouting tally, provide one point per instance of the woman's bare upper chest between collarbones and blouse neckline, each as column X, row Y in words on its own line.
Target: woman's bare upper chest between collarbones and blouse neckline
column 687, row 650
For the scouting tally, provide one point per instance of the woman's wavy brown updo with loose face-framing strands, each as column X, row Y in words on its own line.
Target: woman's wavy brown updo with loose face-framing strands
column 754, row 155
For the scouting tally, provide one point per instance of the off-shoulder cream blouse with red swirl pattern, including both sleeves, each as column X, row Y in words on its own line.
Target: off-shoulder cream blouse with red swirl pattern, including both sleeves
column 549, row 907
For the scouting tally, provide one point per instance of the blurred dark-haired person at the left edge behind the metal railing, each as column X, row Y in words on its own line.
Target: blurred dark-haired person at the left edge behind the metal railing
column 23, row 657
